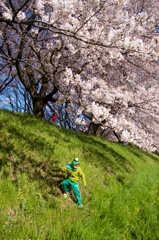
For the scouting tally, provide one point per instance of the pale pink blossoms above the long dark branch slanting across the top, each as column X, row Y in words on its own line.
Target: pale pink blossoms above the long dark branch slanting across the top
column 109, row 24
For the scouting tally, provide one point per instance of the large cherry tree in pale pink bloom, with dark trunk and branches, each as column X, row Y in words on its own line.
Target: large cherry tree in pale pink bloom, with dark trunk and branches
column 97, row 58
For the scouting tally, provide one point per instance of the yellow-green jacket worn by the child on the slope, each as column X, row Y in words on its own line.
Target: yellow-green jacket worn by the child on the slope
column 73, row 174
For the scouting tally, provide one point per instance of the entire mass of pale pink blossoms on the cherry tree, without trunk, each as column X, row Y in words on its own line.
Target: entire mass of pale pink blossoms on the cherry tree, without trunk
column 97, row 38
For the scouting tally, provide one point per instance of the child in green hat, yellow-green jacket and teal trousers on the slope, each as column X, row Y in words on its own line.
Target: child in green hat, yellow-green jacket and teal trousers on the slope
column 73, row 173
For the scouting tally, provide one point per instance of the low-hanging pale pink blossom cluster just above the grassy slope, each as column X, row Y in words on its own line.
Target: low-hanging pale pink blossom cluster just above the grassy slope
column 123, row 122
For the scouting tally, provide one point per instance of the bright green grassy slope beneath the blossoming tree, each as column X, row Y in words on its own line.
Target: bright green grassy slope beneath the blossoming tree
column 120, row 202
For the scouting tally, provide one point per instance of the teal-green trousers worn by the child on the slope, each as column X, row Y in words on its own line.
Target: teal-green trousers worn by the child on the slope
column 67, row 183
